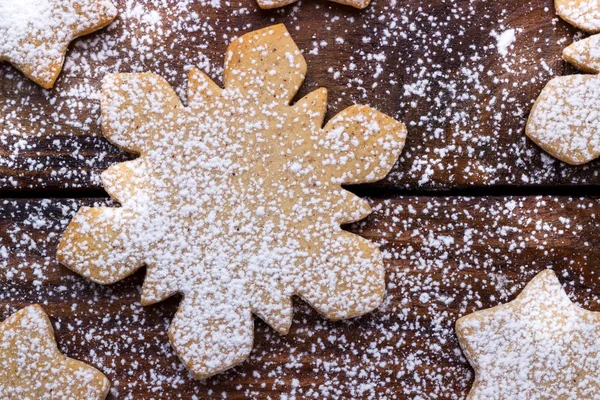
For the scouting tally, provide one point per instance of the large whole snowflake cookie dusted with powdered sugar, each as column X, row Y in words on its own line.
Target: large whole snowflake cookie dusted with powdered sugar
column 236, row 200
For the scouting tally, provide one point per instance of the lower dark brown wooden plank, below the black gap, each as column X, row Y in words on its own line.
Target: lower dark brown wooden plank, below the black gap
column 445, row 257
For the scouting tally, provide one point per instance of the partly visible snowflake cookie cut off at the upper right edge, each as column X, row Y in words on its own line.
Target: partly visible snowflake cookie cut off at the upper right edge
column 565, row 119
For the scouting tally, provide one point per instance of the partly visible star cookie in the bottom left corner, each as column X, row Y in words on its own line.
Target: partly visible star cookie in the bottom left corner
column 31, row 367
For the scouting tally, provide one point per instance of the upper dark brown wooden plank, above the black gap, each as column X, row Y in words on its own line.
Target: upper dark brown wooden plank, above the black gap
column 430, row 63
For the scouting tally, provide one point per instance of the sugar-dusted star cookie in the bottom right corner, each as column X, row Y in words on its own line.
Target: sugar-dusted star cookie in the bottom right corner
column 539, row 346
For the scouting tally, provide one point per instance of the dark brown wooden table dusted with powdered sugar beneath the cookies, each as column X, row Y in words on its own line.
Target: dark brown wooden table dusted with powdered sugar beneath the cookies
column 470, row 213
